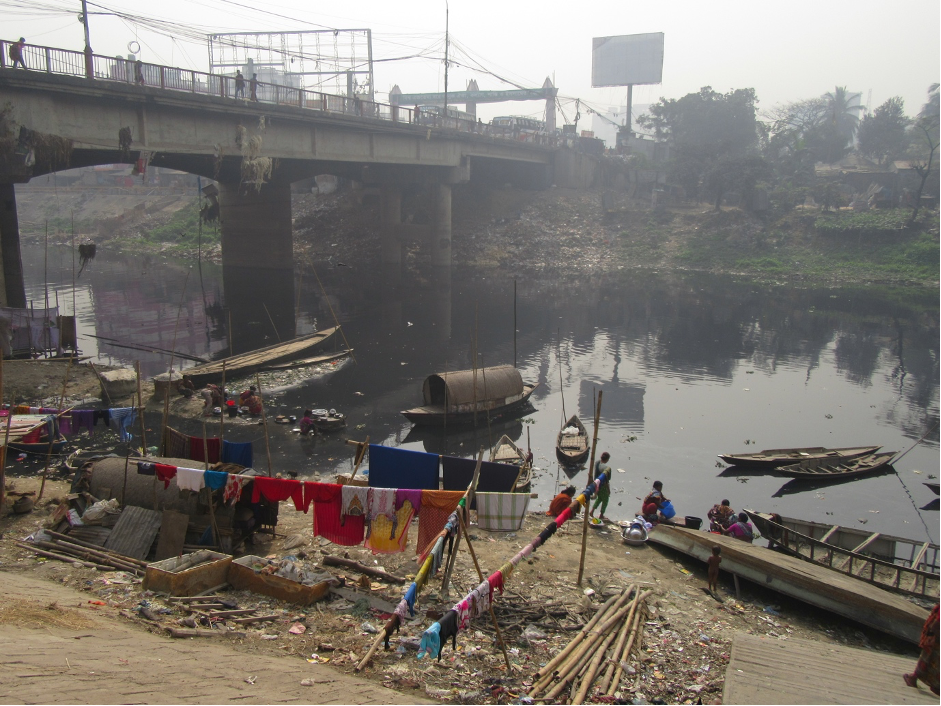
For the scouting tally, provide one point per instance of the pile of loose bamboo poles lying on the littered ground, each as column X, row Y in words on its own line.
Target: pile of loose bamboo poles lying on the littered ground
column 605, row 642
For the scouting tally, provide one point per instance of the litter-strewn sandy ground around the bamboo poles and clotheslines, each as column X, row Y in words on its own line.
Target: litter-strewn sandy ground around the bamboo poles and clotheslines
column 682, row 659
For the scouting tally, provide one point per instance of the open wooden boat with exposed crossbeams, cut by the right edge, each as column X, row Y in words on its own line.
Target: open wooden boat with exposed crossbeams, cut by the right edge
column 894, row 563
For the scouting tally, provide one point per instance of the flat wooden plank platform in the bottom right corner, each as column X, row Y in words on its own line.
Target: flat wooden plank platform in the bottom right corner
column 766, row 670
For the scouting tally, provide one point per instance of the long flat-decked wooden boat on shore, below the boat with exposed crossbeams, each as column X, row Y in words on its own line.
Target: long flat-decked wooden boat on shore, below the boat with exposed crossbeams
column 817, row 585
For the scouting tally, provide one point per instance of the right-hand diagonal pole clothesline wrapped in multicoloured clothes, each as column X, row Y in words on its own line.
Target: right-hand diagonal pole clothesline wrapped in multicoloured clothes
column 477, row 602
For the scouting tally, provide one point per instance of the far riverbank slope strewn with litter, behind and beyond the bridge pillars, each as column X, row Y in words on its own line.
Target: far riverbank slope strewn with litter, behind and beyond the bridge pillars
column 565, row 231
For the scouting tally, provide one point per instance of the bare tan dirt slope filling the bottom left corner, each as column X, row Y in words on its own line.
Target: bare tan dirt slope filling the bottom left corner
column 58, row 645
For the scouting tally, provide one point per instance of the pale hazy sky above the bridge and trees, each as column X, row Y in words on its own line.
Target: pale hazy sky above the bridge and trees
column 785, row 51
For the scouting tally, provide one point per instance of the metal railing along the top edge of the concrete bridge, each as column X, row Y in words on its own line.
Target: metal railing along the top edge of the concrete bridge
column 119, row 69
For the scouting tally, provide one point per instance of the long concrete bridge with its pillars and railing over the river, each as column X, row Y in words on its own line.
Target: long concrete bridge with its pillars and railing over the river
column 66, row 111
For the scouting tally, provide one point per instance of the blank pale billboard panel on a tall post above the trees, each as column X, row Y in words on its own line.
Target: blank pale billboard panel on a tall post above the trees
column 627, row 60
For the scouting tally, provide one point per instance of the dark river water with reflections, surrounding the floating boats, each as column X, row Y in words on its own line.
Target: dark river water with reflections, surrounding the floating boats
column 690, row 366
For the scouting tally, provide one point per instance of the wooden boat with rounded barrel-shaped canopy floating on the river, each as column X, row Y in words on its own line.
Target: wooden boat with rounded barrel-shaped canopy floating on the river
column 471, row 396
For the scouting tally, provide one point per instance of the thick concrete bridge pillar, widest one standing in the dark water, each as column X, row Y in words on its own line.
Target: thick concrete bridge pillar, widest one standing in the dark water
column 256, row 226
